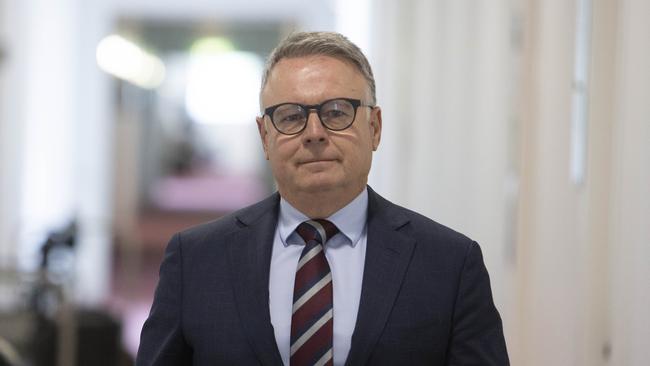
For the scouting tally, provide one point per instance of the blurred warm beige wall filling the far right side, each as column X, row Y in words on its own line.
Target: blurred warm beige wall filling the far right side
column 583, row 279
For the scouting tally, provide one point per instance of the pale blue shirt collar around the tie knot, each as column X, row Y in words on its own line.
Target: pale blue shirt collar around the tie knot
column 350, row 220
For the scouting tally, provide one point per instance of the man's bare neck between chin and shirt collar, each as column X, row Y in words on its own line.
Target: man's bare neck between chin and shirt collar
column 320, row 204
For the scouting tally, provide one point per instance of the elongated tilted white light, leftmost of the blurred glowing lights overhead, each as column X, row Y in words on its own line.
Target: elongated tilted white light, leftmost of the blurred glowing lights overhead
column 128, row 61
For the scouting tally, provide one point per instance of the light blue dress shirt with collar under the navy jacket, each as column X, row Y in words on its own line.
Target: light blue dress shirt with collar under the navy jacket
column 345, row 252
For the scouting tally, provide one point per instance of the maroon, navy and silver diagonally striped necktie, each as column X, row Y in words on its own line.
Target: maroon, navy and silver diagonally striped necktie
column 312, row 318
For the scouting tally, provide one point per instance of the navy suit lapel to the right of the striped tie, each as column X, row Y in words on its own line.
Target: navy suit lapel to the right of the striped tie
column 388, row 254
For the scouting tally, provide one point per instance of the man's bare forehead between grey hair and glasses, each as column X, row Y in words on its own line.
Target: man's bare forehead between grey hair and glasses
column 312, row 79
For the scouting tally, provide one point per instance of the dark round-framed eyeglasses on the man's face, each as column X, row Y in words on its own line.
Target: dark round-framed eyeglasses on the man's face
column 335, row 114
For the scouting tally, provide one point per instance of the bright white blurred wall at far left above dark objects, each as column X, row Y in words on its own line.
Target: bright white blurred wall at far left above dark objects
column 55, row 137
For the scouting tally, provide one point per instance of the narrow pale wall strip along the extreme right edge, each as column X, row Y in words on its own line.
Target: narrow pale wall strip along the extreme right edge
column 630, row 200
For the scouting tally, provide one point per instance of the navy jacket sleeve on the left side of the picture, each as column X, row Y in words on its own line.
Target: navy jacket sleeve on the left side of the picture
column 161, row 340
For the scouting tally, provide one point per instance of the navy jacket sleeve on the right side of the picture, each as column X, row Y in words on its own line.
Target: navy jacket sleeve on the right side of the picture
column 477, row 333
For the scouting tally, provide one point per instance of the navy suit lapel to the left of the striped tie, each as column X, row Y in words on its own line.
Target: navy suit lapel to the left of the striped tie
column 250, row 258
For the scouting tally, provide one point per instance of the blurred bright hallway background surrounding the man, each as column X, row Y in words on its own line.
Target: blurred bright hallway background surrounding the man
column 522, row 123
